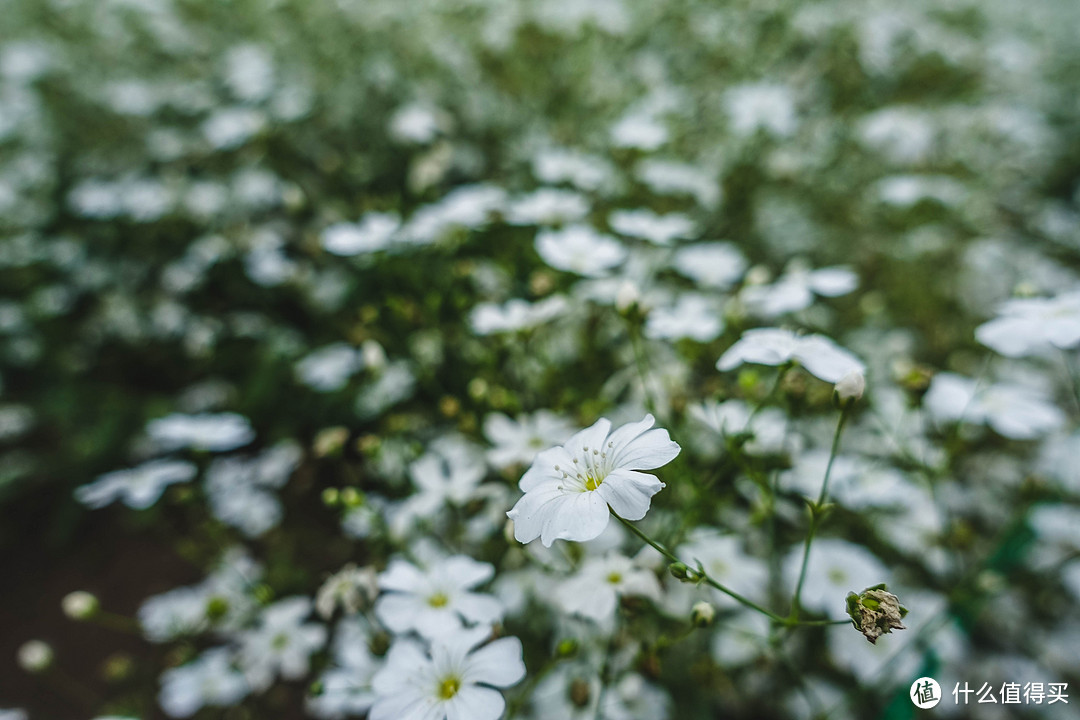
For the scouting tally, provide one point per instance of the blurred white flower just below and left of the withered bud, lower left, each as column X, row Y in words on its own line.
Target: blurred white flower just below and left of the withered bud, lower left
column 282, row 644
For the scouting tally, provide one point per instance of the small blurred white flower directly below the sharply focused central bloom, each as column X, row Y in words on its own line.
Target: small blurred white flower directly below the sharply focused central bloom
column 596, row 590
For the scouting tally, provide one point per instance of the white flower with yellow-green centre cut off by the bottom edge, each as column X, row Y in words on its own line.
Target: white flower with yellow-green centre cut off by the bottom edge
column 455, row 683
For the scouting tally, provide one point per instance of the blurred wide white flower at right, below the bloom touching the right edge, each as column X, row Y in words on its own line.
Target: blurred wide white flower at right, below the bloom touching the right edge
column 1015, row 412
